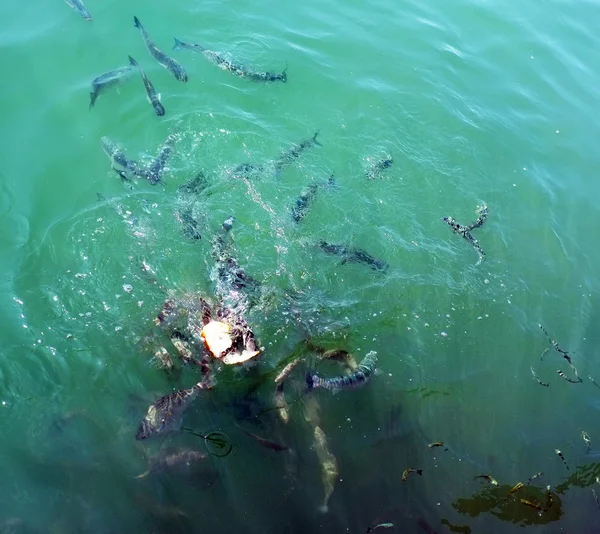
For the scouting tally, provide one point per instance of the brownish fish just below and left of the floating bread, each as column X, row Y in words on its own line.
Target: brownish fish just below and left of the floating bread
column 165, row 414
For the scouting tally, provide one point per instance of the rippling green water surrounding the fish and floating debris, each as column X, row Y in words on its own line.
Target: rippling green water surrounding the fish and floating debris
column 476, row 103
